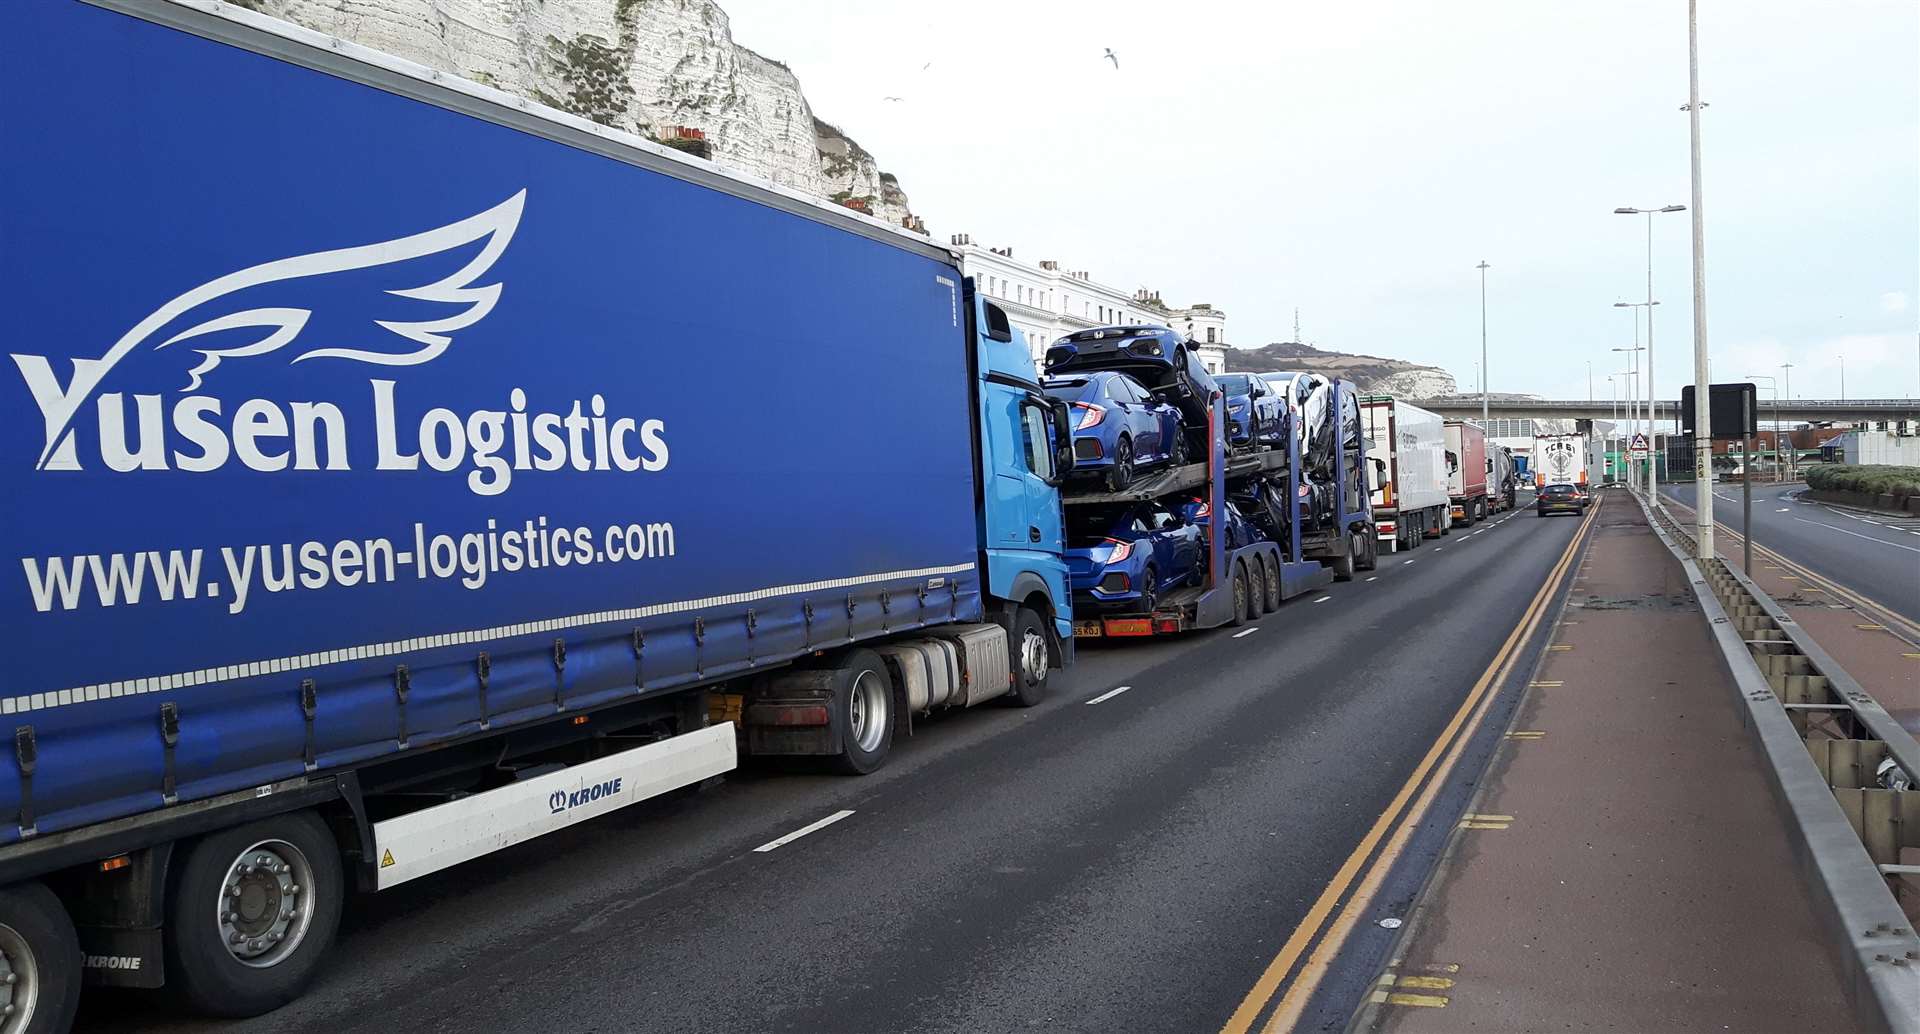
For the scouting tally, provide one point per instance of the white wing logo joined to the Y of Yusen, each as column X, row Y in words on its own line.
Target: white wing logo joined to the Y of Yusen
column 281, row 327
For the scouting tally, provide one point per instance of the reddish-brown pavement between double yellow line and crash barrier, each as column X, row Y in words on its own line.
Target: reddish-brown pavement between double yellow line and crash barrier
column 1625, row 864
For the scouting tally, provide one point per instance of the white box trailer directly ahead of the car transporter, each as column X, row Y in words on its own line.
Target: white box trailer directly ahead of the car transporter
column 1408, row 452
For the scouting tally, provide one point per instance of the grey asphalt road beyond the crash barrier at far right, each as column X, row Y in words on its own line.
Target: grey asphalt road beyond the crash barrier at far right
column 1867, row 553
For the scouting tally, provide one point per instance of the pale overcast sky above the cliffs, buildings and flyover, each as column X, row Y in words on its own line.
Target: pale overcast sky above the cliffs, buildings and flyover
column 1358, row 160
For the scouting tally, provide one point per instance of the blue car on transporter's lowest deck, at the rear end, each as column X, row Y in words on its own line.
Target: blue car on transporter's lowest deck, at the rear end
column 1124, row 559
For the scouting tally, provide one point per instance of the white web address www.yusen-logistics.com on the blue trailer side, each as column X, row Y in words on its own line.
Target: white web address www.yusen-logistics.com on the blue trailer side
column 473, row 557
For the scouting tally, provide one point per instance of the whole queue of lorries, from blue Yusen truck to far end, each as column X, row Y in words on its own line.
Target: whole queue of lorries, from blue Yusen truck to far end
column 368, row 525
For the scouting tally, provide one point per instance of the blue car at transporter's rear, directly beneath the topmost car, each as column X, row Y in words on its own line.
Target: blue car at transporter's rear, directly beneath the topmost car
column 1118, row 427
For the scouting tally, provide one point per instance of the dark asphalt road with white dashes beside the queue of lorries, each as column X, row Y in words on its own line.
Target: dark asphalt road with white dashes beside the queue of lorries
column 1118, row 866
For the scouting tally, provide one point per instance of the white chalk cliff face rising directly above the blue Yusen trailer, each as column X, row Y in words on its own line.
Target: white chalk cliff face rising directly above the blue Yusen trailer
column 642, row 66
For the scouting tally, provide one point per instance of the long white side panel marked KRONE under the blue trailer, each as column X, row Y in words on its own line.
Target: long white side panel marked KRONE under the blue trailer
column 458, row 832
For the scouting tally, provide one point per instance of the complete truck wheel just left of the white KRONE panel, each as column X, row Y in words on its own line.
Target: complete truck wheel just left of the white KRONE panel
column 252, row 914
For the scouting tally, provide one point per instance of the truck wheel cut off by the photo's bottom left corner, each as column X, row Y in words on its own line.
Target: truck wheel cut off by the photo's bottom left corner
column 39, row 962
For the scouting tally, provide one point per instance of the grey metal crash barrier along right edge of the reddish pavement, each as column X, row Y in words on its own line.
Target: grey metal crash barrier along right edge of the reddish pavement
column 1840, row 766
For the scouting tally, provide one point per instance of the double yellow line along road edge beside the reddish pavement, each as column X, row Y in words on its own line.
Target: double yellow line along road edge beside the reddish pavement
column 1395, row 826
